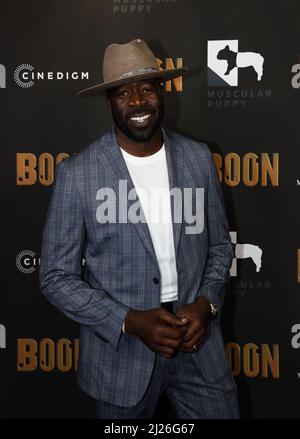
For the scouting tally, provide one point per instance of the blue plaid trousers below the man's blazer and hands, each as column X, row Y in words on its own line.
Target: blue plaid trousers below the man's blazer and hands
column 180, row 380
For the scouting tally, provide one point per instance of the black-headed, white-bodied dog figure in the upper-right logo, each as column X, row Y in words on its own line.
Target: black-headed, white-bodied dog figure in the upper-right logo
column 242, row 59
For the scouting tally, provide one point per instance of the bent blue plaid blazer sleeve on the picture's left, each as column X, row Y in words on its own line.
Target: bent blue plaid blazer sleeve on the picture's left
column 61, row 281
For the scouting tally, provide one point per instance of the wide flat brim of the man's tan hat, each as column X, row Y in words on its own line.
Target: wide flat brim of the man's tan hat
column 163, row 74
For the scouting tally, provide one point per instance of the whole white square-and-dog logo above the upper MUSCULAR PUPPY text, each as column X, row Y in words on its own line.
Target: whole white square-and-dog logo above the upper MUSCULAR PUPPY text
column 224, row 61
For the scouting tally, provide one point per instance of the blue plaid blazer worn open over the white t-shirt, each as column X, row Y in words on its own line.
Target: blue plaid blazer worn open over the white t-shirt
column 120, row 265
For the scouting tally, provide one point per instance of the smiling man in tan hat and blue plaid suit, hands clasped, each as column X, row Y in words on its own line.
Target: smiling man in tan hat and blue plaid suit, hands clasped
column 150, row 294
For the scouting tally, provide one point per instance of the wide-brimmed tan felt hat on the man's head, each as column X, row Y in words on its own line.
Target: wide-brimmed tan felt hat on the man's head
column 124, row 63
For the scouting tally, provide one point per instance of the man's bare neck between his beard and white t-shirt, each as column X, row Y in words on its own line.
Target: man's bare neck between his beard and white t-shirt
column 139, row 149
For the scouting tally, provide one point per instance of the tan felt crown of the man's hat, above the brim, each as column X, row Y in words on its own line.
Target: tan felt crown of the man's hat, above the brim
column 125, row 60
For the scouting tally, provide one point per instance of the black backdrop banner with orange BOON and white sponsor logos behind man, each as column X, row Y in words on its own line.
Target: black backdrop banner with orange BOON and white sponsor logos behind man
column 241, row 96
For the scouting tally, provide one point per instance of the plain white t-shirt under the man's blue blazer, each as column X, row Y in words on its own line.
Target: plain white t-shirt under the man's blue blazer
column 150, row 178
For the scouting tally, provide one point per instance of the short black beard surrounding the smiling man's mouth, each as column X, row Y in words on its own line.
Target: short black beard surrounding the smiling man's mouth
column 139, row 134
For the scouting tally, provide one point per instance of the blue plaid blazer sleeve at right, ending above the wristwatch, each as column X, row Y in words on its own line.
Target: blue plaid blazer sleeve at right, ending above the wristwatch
column 220, row 247
